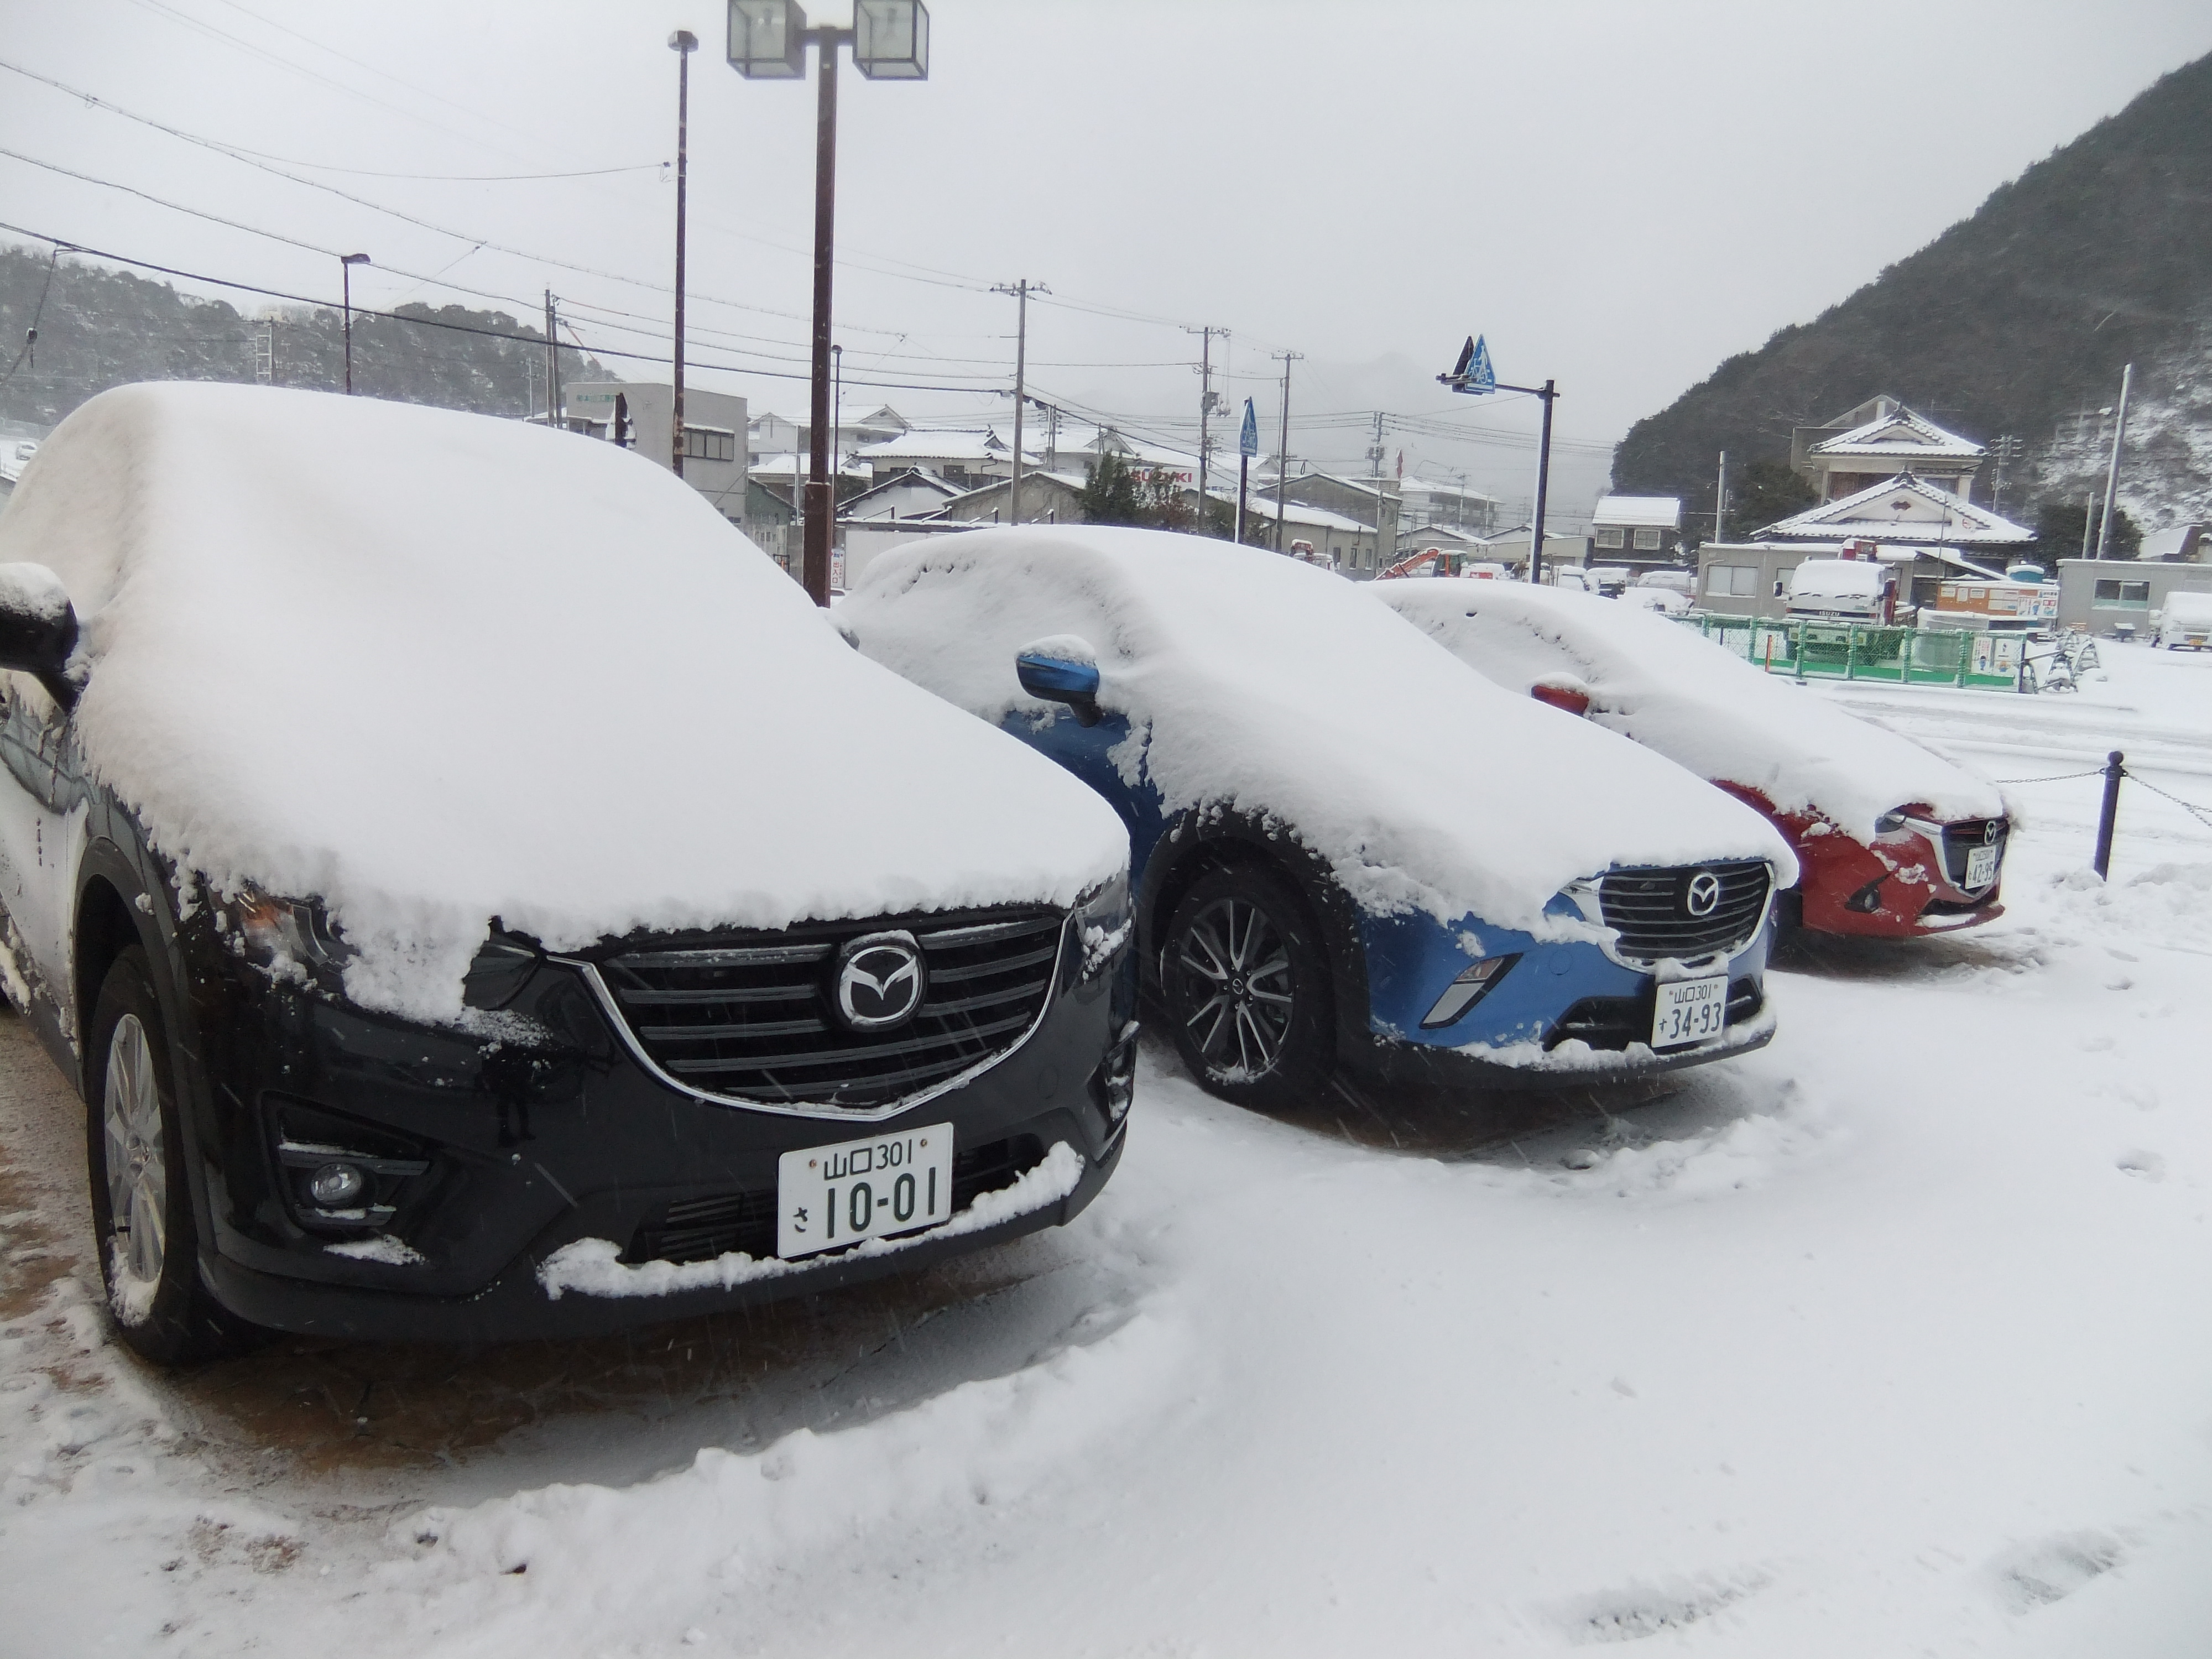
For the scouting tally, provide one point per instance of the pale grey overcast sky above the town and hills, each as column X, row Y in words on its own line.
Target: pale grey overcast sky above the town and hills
column 1618, row 196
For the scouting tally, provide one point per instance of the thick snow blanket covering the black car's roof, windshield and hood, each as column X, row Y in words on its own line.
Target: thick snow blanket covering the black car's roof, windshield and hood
column 437, row 669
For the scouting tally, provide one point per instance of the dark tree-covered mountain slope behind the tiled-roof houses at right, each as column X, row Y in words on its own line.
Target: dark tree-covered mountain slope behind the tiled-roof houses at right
column 2010, row 324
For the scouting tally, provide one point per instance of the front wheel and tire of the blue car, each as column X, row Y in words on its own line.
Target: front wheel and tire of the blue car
column 1246, row 988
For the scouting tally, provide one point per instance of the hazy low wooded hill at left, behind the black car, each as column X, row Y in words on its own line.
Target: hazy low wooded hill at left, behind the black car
column 101, row 328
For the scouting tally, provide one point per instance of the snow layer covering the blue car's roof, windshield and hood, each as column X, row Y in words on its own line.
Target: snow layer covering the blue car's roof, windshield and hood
column 1273, row 687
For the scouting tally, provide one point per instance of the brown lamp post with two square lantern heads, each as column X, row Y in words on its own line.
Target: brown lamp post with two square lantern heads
column 769, row 41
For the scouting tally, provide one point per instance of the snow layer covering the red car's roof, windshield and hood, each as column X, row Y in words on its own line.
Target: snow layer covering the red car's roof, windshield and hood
column 1691, row 700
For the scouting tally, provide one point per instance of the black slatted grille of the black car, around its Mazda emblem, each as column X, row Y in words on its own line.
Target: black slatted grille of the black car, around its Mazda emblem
column 751, row 1014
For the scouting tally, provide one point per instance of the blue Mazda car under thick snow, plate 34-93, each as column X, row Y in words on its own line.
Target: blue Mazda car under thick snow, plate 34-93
column 1350, row 853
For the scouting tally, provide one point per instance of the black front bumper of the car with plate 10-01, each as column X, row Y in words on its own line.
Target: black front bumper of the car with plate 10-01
column 539, row 1129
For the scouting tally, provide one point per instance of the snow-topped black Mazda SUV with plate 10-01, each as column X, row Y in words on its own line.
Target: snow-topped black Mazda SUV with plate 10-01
column 468, row 908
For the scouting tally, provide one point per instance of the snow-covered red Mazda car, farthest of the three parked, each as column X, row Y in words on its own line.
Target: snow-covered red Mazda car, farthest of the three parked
column 1892, row 842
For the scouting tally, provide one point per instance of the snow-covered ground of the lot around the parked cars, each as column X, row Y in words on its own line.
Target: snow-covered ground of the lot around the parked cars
column 1888, row 1339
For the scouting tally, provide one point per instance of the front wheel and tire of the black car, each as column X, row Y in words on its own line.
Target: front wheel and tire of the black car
column 143, row 1202
